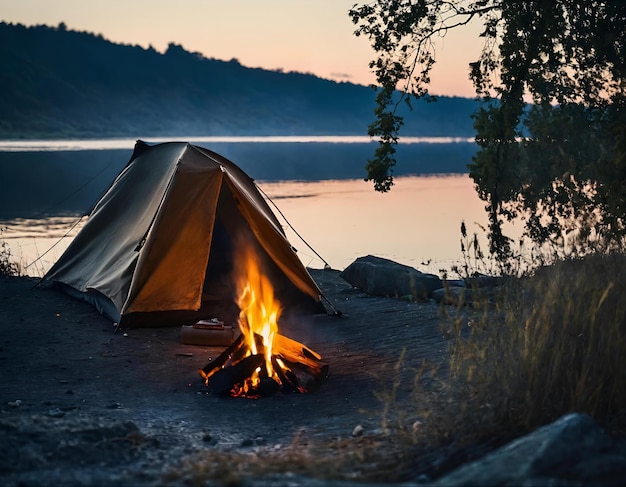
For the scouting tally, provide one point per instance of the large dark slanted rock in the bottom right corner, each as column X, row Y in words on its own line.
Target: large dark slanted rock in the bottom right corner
column 573, row 450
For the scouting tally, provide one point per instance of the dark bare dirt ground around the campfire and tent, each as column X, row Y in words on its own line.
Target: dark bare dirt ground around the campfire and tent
column 82, row 405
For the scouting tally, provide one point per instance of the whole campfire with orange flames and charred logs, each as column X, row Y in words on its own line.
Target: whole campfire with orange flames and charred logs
column 261, row 361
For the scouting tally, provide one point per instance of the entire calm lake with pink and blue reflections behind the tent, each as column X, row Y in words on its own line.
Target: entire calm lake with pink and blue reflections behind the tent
column 316, row 184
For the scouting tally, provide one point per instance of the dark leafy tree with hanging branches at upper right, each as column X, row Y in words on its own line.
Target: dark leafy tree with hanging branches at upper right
column 551, row 128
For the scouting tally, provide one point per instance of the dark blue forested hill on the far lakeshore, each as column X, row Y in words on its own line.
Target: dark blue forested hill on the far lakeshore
column 57, row 83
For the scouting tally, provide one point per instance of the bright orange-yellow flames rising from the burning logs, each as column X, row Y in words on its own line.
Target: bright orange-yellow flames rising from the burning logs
column 258, row 318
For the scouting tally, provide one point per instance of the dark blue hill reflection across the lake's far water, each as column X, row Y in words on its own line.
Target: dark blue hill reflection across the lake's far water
column 47, row 183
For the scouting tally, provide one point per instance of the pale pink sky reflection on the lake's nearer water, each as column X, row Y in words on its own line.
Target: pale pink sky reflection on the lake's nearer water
column 417, row 223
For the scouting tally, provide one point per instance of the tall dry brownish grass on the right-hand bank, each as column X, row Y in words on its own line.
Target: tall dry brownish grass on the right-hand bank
column 553, row 344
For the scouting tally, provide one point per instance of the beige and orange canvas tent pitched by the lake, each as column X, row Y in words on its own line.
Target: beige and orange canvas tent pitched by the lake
column 158, row 248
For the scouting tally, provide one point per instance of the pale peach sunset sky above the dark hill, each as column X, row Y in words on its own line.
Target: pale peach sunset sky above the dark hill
column 311, row 36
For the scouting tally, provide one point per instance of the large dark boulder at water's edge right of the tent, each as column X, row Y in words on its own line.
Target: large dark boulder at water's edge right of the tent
column 384, row 277
